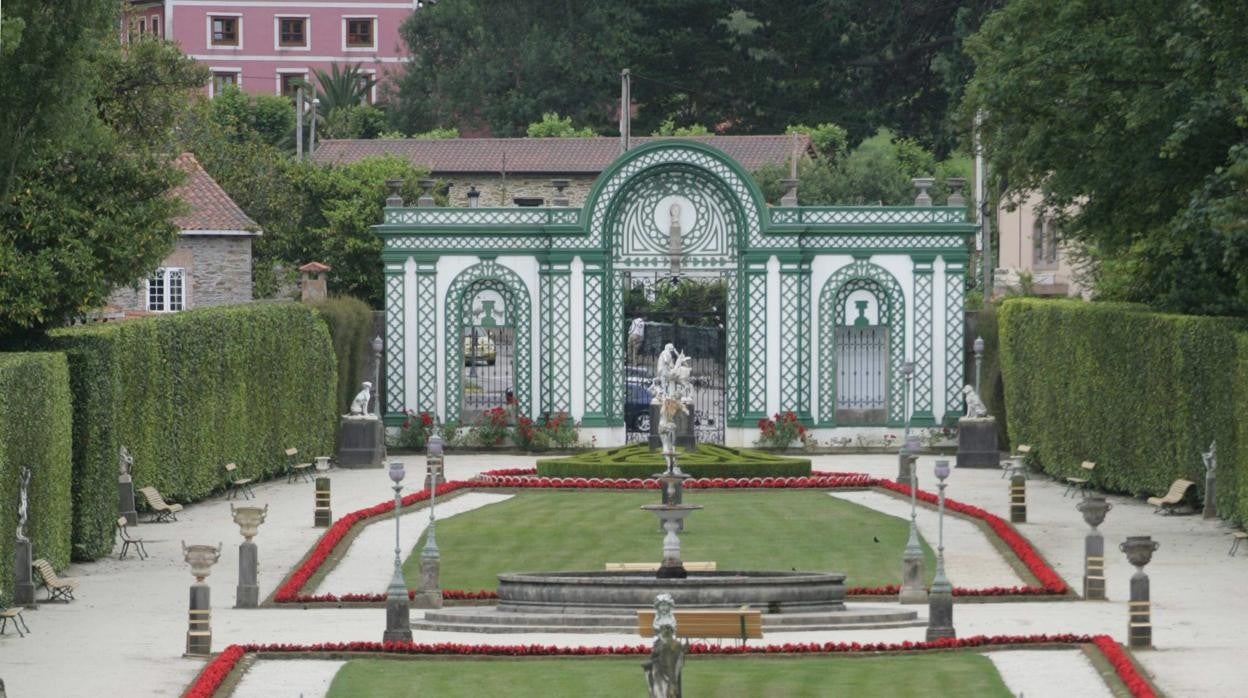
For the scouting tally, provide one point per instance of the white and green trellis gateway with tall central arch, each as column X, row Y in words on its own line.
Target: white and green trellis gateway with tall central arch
column 822, row 305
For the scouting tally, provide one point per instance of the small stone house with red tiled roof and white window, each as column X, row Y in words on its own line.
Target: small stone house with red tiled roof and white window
column 212, row 262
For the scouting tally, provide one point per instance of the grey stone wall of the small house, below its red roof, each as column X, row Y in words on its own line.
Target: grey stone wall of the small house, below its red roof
column 218, row 273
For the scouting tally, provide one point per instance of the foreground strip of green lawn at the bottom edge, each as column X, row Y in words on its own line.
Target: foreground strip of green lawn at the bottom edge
column 939, row 675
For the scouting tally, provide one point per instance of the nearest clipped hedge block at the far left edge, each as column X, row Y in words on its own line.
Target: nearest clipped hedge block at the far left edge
column 36, row 433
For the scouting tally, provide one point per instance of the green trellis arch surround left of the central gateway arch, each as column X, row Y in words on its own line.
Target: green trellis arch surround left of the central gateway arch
column 487, row 275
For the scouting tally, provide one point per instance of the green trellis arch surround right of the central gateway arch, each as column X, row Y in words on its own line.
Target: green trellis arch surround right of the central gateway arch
column 862, row 275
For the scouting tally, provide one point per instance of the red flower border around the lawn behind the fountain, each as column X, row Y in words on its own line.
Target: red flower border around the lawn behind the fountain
column 291, row 590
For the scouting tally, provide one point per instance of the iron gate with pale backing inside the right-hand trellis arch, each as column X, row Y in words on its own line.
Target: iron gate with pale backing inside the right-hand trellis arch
column 862, row 379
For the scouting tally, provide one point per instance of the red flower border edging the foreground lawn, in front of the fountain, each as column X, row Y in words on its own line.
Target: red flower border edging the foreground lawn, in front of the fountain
column 223, row 672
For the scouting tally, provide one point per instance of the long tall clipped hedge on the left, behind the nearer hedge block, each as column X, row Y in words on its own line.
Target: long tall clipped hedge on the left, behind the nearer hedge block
column 189, row 393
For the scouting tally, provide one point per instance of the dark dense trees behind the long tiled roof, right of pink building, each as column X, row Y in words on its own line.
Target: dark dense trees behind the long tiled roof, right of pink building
column 706, row 63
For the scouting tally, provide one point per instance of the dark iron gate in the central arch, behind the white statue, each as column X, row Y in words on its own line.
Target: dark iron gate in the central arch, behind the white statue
column 696, row 332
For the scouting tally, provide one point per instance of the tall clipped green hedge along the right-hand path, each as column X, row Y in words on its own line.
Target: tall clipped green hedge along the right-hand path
column 1140, row 394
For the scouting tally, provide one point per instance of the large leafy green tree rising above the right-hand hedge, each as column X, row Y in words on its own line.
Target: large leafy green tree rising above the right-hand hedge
column 1133, row 123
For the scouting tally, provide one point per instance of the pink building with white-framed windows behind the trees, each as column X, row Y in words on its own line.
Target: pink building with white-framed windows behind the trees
column 263, row 47
